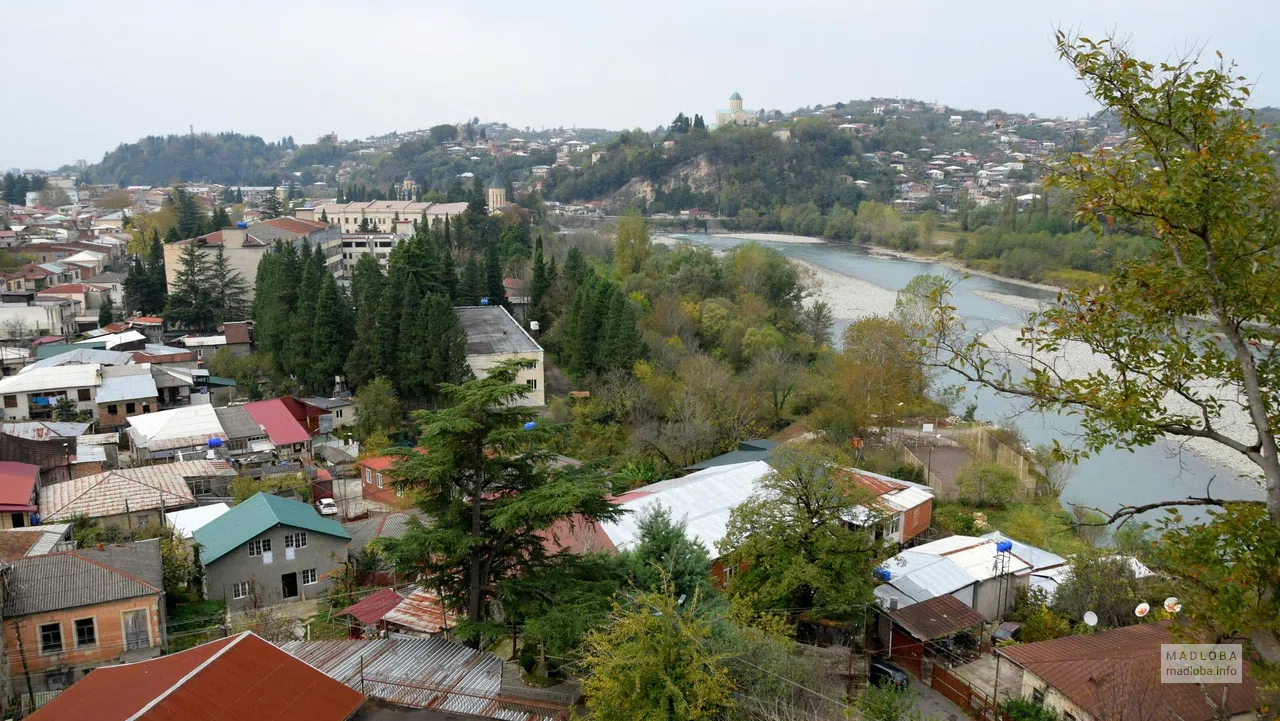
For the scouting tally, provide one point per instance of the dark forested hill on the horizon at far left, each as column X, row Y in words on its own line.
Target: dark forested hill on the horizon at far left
column 223, row 158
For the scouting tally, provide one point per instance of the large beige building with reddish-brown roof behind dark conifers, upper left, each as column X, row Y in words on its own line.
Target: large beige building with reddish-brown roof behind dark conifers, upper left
column 245, row 245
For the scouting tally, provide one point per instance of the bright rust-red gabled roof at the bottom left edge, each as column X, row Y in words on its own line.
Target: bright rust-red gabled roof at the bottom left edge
column 232, row 679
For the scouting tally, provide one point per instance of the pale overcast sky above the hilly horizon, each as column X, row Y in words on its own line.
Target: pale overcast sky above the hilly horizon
column 86, row 76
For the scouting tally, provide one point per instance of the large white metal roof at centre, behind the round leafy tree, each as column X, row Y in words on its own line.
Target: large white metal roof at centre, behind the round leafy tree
column 702, row 500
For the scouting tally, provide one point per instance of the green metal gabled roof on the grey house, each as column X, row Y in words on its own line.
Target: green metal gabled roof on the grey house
column 264, row 512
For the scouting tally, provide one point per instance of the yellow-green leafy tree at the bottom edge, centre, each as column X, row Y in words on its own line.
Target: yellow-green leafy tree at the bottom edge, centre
column 653, row 661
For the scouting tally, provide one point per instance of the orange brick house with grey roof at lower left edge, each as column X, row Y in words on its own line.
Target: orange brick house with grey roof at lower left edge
column 70, row 613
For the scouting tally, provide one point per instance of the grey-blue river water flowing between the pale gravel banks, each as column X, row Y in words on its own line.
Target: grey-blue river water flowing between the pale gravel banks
column 1107, row 481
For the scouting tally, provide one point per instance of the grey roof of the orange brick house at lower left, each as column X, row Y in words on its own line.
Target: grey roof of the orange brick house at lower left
column 72, row 579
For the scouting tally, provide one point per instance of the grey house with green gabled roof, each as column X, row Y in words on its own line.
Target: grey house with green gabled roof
column 271, row 550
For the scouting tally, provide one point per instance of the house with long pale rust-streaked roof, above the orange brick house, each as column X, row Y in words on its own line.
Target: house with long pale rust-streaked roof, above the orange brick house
column 131, row 499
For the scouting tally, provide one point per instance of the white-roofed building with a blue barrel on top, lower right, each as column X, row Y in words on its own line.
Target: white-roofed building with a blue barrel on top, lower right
column 982, row 573
